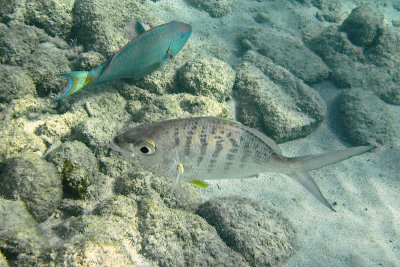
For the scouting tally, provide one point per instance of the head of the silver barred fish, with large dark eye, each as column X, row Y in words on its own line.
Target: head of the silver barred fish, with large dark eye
column 144, row 145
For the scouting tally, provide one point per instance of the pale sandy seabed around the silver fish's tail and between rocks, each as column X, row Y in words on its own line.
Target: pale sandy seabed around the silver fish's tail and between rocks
column 365, row 230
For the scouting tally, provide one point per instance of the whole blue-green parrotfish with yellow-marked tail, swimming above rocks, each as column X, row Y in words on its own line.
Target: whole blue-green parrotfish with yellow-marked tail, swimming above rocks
column 141, row 56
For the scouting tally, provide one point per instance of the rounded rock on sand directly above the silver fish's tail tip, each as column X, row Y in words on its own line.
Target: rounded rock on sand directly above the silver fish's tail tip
column 364, row 118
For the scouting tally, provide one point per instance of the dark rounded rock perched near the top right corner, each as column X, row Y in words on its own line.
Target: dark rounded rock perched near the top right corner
column 364, row 25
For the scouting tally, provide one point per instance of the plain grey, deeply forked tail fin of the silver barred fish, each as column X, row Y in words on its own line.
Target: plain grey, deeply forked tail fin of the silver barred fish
column 319, row 161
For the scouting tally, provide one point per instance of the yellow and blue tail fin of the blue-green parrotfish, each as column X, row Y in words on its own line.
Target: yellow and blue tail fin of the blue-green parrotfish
column 76, row 81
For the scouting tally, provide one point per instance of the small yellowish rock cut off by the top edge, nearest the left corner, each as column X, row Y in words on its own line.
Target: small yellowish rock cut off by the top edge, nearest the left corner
column 54, row 16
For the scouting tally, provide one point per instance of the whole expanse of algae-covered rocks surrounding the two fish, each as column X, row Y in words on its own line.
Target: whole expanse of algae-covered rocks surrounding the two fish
column 67, row 199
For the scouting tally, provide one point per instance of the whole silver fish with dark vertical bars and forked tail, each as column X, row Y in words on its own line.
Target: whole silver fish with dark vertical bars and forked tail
column 208, row 148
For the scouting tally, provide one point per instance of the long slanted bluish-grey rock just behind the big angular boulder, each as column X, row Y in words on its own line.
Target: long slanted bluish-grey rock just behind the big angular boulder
column 289, row 52
